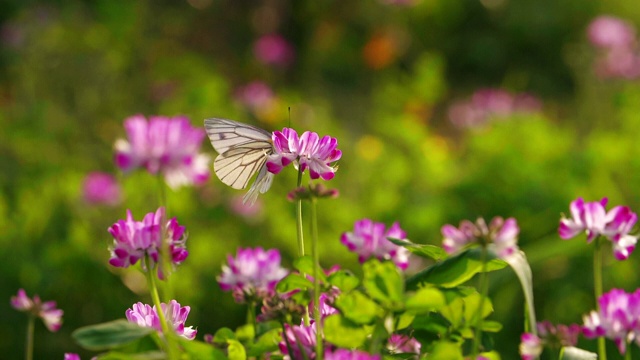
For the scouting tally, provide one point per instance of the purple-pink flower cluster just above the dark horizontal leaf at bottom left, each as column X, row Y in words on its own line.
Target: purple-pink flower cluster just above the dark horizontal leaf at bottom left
column 175, row 315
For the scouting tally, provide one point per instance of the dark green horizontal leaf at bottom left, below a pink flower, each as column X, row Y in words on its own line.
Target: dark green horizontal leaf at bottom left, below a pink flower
column 110, row 334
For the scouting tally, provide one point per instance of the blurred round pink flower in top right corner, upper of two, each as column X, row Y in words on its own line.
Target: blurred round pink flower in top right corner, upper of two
column 610, row 32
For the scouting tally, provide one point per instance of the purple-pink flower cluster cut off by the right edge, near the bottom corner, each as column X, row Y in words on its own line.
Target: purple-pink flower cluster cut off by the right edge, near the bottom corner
column 618, row 318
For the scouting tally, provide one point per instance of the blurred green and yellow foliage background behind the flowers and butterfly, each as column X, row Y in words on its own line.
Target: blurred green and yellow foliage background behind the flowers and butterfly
column 379, row 76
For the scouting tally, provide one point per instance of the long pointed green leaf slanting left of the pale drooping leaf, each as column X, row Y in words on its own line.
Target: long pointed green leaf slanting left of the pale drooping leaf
column 455, row 270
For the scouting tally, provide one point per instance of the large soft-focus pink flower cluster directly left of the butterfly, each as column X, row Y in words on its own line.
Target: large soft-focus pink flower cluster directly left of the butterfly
column 164, row 145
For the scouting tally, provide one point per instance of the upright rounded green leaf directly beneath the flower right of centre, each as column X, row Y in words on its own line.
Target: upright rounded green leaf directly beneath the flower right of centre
column 383, row 282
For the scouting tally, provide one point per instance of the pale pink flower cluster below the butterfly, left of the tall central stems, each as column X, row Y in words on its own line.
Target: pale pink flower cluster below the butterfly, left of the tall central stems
column 252, row 273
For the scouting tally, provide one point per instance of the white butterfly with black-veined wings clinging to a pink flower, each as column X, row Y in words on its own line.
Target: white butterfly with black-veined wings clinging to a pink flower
column 243, row 150
